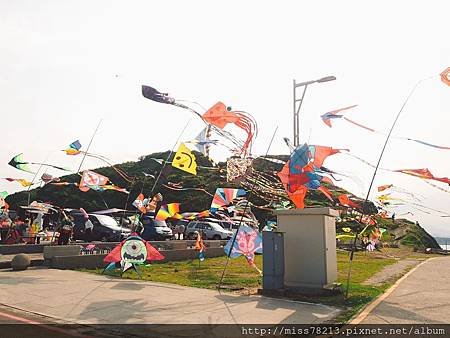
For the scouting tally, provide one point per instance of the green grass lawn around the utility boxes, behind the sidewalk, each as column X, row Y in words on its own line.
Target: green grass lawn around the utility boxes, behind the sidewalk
column 241, row 276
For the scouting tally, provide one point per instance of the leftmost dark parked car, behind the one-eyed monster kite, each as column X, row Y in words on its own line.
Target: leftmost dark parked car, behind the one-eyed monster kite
column 106, row 229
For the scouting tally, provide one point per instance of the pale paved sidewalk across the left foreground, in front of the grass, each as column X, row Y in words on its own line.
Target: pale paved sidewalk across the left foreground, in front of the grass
column 88, row 299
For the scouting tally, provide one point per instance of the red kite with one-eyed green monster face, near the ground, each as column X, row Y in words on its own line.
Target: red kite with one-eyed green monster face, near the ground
column 130, row 253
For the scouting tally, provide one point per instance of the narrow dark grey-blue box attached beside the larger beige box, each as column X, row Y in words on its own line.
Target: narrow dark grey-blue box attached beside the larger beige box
column 273, row 260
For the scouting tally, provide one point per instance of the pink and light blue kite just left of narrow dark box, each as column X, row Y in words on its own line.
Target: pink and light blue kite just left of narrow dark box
column 248, row 242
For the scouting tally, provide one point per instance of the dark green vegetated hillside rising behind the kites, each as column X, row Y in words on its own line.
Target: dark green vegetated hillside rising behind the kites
column 401, row 231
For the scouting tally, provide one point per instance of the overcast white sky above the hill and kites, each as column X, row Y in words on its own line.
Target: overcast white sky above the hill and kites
column 64, row 65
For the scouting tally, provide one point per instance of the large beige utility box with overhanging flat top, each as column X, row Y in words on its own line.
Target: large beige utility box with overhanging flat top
column 309, row 247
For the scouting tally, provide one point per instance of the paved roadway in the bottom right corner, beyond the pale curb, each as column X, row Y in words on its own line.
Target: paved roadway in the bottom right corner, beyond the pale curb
column 423, row 297
